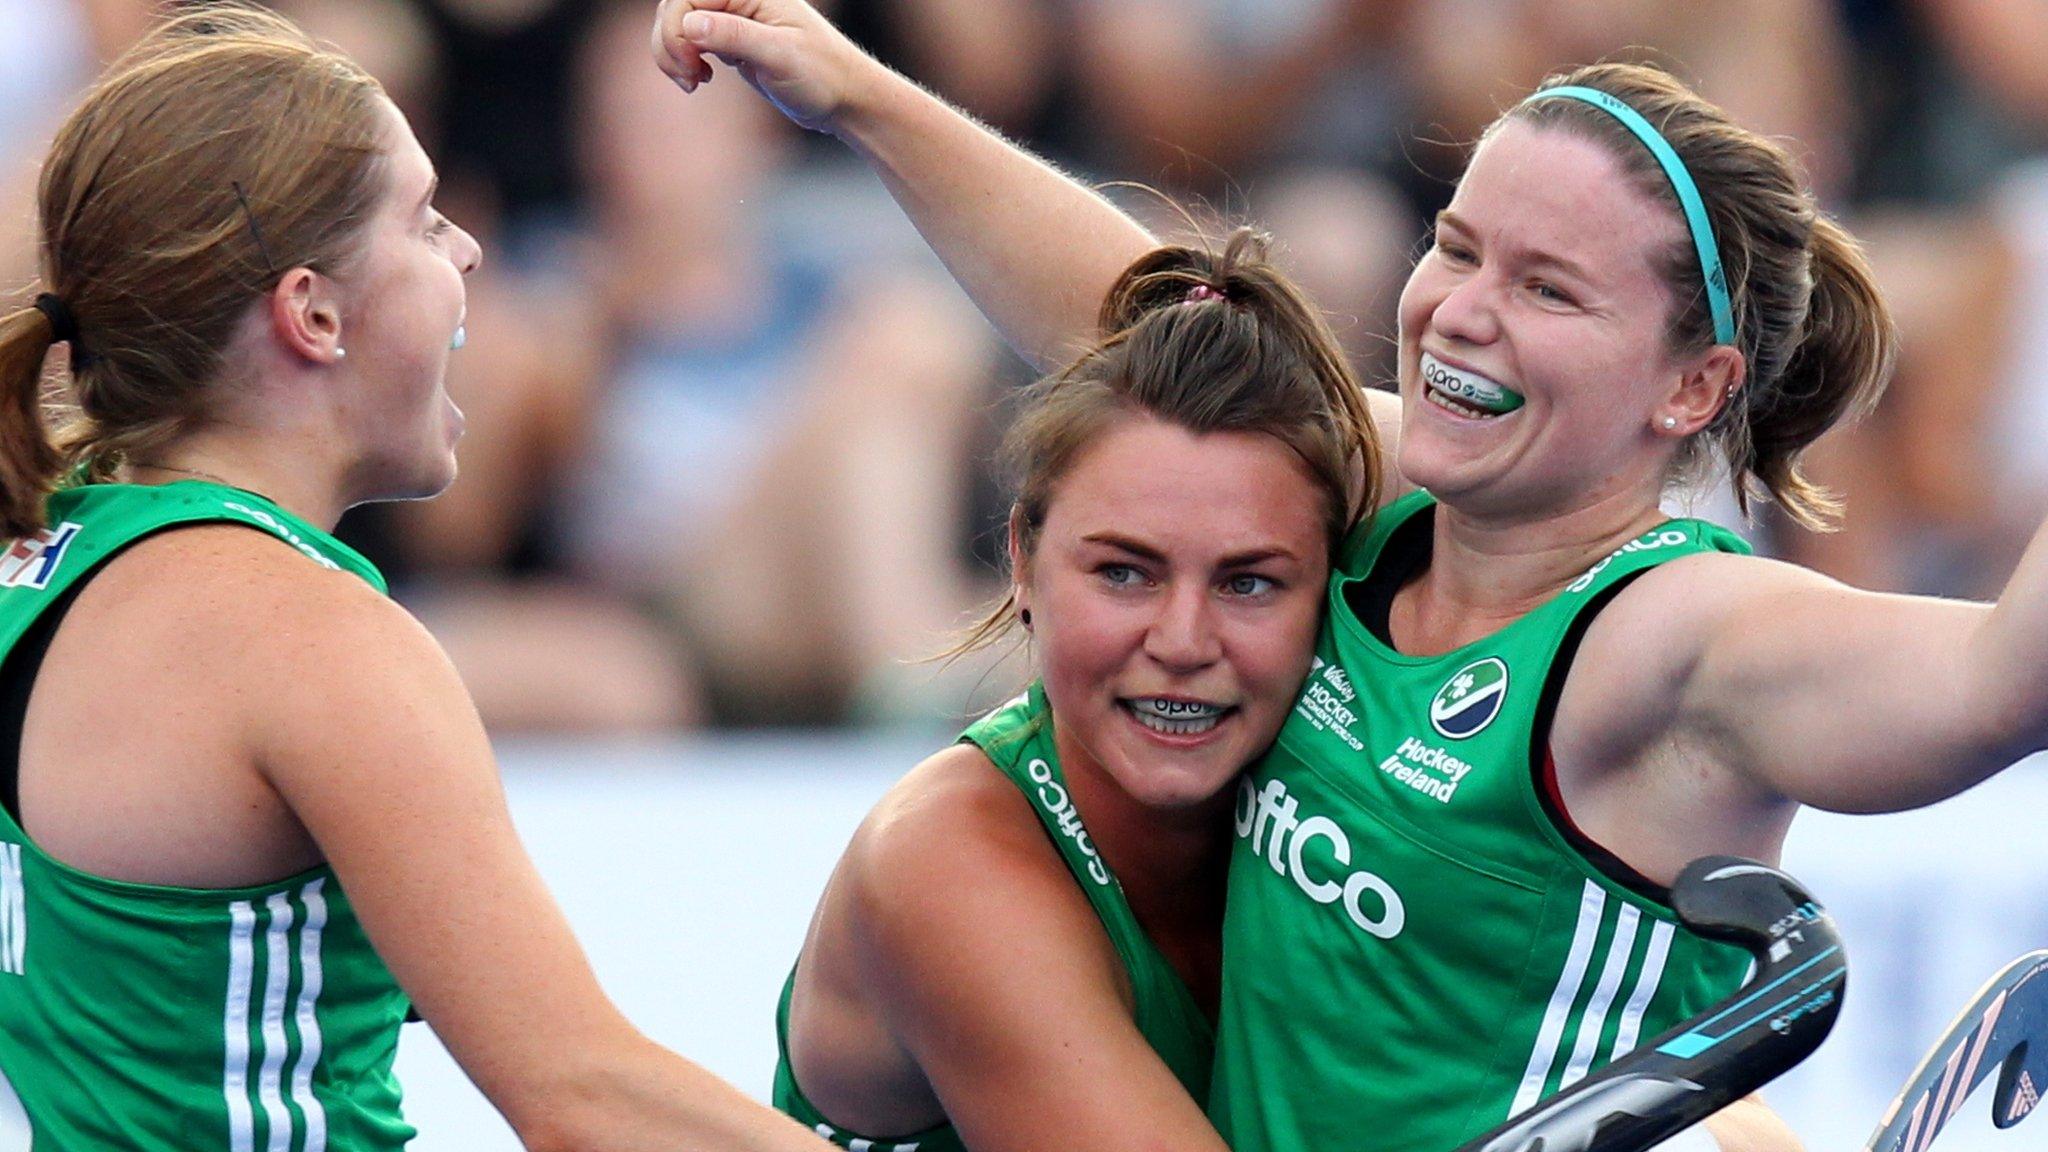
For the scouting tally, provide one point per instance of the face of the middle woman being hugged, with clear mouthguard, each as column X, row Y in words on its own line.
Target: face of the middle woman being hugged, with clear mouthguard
column 1175, row 591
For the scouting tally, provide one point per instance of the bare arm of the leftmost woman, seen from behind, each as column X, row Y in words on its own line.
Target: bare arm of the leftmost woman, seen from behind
column 374, row 745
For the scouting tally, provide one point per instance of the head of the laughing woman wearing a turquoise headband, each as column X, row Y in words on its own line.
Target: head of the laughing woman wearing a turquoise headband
column 1543, row 261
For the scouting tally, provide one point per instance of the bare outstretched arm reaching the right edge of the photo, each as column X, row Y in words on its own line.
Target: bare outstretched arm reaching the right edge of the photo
column 1818, row 692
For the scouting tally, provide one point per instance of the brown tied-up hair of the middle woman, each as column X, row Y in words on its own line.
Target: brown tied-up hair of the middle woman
column 1213, row 341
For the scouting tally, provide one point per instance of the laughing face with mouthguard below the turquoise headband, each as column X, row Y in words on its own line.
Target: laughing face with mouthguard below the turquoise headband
column 1543, row 282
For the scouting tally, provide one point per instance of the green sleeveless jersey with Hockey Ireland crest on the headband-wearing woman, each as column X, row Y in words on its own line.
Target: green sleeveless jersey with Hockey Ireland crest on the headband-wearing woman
column 1418, row 946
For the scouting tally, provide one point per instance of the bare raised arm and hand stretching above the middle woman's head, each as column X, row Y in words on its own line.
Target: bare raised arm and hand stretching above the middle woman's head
column 1035, row 249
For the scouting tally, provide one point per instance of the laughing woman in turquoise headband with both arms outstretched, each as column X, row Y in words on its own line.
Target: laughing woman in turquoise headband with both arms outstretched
column 1590, row 692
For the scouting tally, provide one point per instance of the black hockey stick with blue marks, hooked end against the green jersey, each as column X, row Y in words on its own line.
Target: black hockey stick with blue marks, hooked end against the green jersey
column 1727, row 1053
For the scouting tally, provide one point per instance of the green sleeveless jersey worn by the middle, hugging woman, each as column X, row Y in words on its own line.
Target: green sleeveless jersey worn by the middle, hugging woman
column 1019, row 741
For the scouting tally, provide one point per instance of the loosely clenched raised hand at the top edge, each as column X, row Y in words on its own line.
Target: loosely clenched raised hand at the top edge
column 790, row 52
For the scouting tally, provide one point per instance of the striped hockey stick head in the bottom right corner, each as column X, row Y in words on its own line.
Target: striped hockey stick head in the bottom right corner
column 2006, row 1030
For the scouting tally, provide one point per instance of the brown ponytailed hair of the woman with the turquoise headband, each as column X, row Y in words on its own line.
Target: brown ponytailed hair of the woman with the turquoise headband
column 1816, row 335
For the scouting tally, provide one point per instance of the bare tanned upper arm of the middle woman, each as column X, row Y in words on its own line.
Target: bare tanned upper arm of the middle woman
column 966, row 946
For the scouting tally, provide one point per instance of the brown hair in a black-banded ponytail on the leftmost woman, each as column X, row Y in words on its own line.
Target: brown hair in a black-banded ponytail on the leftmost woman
column 220, row 153
